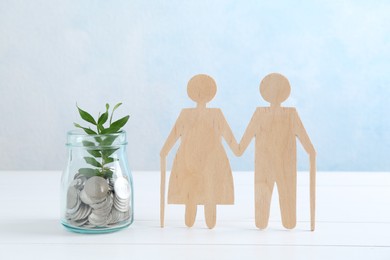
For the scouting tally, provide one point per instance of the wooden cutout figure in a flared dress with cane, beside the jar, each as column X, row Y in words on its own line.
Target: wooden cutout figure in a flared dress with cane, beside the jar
column 201, row 173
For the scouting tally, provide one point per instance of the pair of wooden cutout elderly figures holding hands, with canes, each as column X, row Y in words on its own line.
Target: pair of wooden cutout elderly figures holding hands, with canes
column 201, row 173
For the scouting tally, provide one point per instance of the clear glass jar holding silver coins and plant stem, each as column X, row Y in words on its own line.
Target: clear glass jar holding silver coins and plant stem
column 96, row 186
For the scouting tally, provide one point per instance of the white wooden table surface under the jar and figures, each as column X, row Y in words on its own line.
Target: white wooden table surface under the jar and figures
column 353, row 222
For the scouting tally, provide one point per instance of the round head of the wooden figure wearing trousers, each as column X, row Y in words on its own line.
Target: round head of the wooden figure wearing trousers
column 275, row 88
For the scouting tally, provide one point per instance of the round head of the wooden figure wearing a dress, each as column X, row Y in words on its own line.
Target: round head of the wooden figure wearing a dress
column 201, row 88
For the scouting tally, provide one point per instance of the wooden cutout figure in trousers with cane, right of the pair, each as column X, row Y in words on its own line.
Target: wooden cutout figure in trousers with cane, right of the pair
column 275, row 129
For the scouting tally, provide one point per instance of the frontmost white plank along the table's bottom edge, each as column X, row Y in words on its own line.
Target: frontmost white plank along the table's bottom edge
column 191, row 252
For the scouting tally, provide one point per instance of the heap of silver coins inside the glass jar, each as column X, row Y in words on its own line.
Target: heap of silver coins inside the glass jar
column 97, row 202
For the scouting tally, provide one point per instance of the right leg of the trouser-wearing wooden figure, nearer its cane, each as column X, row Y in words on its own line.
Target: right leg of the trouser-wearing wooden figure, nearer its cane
column 287, row 188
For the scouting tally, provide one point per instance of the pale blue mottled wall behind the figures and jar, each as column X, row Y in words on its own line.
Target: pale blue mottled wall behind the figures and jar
column 53, row 53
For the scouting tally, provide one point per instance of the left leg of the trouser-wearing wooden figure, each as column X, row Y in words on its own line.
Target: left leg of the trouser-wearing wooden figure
column 264, row 186
